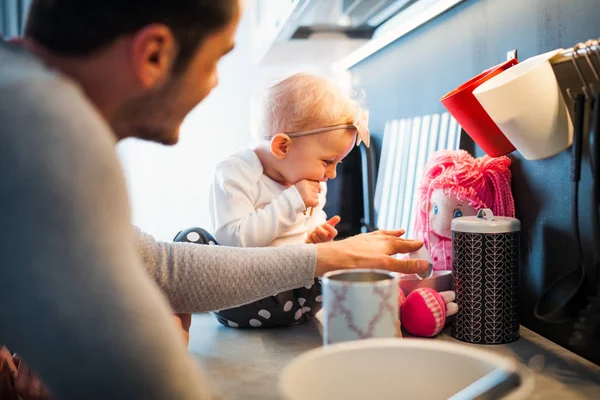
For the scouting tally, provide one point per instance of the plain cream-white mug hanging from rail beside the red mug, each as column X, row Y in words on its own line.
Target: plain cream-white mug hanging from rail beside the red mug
column 526, row 103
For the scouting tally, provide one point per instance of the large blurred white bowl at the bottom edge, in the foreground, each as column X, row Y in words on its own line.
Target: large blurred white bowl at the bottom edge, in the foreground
column 382, row 369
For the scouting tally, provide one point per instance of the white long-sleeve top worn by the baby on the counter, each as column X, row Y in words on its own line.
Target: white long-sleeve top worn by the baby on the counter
column 249, row 209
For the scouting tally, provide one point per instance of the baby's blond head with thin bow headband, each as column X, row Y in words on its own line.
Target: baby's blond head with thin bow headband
column 295, row 107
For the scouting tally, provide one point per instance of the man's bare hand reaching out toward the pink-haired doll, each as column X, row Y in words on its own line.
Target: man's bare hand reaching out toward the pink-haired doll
column 370, row 250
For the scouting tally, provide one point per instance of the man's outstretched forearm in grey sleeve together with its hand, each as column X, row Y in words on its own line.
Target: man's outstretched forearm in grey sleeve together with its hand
column 199, row 278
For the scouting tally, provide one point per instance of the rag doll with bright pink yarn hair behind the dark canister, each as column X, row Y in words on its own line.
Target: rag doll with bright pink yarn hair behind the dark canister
column 454, row 184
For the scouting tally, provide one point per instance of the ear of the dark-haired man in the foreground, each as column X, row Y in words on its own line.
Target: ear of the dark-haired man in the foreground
column 153, row 53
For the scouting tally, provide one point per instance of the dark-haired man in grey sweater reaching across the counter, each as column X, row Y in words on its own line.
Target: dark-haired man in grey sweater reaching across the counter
column 76, row 302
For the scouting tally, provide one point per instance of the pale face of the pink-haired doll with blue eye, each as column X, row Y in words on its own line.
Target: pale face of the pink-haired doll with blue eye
column 443, row 209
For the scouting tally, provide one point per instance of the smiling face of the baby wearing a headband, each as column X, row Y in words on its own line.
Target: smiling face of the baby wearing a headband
column 315, row 157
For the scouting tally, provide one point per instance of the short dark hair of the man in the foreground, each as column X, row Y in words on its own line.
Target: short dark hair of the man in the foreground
column 80, row 27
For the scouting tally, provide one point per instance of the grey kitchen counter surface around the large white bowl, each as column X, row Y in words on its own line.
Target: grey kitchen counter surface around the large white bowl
column 245, row 364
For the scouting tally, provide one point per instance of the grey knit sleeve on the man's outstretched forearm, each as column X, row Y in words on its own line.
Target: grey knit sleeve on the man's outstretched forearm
column 199, row 278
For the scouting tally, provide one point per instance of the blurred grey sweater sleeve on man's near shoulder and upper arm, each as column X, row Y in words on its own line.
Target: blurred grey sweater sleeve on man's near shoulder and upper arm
column 75, row 300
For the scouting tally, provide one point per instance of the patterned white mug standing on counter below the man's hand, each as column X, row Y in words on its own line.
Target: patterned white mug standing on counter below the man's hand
column 360, row 304
